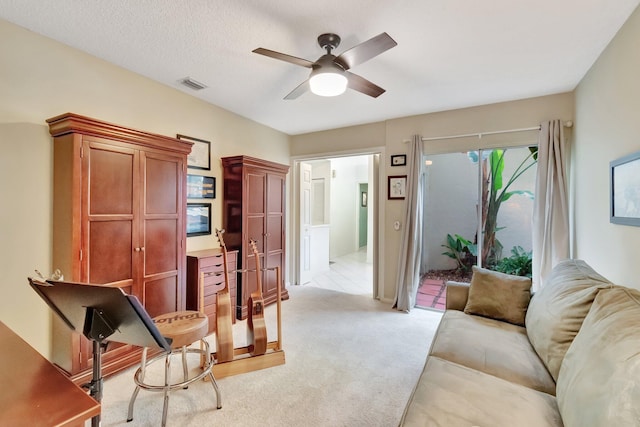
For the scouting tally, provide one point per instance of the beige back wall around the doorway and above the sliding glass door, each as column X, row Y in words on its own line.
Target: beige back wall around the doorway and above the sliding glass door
column 390, row 137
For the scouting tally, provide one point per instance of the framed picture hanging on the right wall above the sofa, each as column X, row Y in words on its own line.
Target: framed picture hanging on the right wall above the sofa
column 624, row 180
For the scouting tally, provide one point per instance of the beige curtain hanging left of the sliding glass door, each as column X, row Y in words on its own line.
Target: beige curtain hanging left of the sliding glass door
column 408, row 277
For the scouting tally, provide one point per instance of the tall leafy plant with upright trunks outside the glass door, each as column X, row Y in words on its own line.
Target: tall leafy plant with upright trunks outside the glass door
column 495, row 191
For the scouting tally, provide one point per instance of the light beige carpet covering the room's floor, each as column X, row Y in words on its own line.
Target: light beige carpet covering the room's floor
column 350, row 361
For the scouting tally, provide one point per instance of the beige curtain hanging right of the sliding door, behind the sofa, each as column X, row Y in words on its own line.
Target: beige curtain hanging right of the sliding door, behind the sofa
column 550, row 208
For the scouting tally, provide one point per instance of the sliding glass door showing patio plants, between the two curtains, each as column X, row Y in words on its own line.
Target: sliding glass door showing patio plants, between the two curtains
column 486, row 193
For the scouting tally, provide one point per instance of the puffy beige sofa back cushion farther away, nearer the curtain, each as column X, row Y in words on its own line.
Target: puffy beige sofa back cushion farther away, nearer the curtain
column 556, row 311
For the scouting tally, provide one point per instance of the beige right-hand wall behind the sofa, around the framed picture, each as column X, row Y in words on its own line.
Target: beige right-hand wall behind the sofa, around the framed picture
column 607, row 127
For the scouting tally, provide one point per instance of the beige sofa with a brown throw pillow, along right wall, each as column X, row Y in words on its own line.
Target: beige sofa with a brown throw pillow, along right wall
column 576, row 363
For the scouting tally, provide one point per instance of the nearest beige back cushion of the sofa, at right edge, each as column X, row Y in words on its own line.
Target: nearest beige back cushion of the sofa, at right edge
column 599, row 381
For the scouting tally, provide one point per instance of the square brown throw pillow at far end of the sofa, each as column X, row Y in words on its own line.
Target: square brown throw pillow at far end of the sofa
column 498, row 296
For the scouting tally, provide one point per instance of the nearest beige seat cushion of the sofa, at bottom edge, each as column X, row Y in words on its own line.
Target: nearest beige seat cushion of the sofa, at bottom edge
column 452, row 395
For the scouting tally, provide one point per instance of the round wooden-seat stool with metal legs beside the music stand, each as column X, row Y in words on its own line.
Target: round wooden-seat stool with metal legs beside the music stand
column 182, row 328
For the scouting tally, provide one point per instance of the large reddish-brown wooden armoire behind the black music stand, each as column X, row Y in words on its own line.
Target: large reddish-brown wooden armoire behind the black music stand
column 118, row 220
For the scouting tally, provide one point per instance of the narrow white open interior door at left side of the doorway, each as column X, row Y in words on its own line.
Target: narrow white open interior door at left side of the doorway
column 304, row 262
